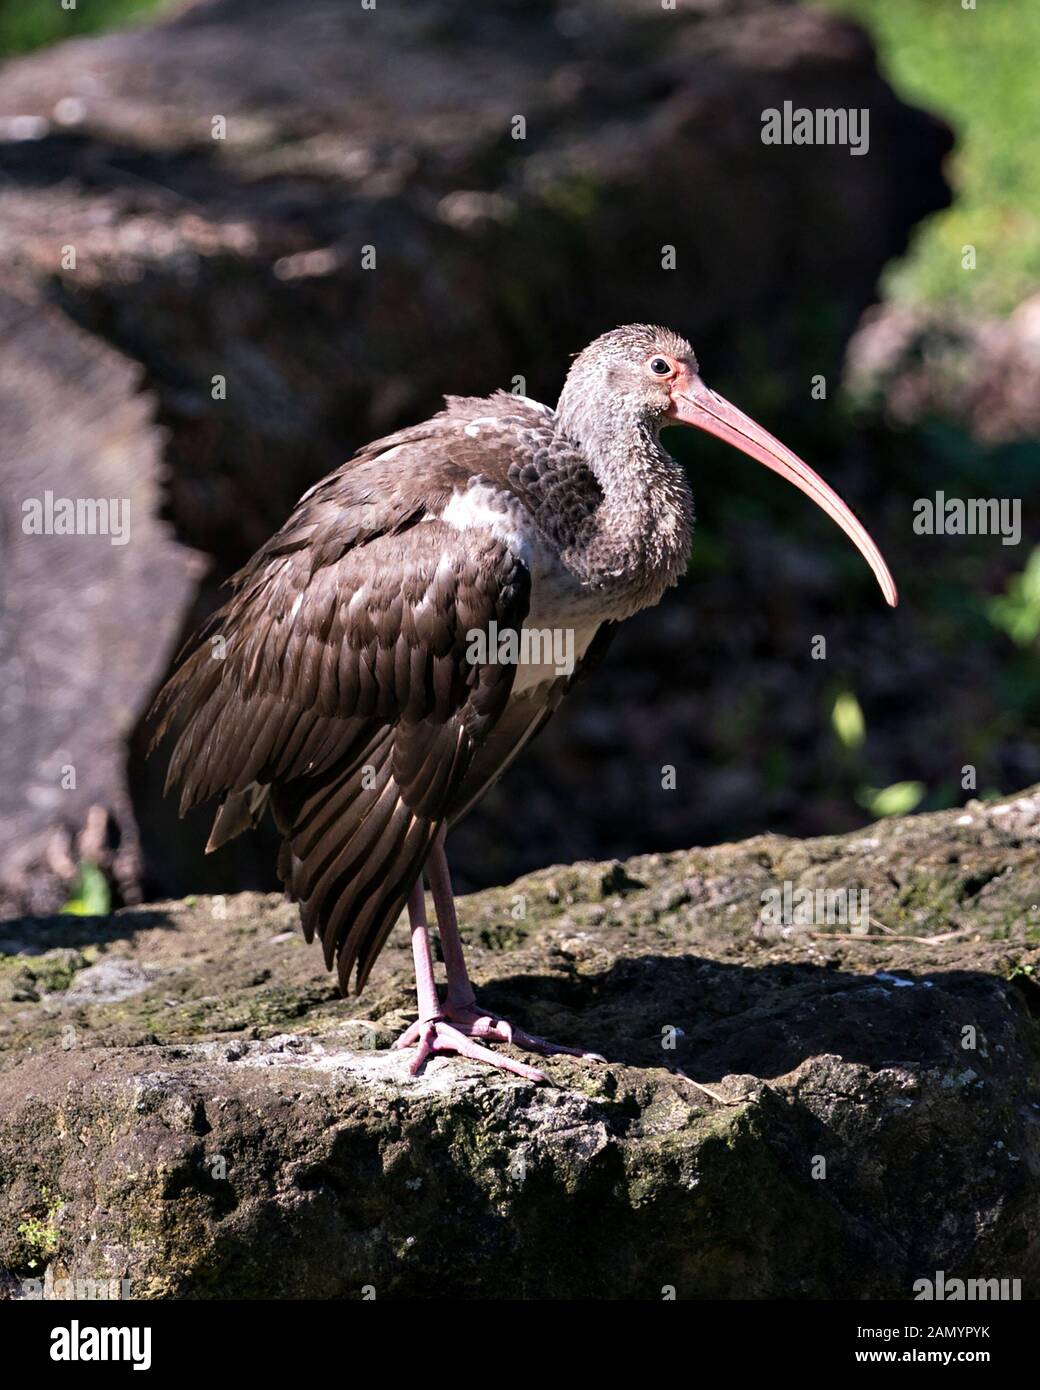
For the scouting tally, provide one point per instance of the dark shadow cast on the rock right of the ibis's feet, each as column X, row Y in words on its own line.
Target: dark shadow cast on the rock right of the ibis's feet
column 760, row 1021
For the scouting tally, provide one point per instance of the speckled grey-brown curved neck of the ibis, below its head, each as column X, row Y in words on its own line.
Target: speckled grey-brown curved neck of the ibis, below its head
column 639, row 543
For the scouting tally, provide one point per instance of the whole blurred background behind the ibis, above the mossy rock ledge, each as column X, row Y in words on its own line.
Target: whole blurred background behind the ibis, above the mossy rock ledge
column 218, row 345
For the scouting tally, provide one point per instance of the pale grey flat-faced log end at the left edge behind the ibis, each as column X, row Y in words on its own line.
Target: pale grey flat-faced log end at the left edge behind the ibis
column 88, row 619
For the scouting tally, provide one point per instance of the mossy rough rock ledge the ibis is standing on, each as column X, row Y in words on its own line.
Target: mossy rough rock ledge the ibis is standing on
column 788, row 1111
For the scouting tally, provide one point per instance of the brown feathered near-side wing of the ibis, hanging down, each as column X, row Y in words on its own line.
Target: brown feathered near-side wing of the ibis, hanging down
column 339, row 678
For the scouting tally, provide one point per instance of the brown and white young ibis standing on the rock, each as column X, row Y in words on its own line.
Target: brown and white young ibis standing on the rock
column 416, row 622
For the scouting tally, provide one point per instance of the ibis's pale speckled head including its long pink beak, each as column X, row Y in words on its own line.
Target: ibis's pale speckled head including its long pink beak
column 649, row 377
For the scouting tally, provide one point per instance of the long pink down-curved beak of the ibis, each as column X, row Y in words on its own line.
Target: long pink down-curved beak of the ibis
column 693, row 404
